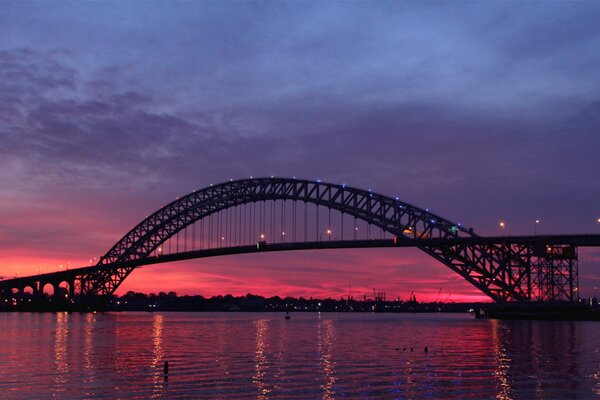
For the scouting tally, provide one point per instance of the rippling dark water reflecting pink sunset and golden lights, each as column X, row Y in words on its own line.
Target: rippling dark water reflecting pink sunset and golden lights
column 311, row 356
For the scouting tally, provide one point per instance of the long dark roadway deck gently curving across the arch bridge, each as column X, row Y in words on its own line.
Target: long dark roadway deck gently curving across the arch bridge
column 591, row 240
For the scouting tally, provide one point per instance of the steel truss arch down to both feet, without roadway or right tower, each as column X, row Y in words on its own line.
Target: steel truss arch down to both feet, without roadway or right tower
column 494, row 269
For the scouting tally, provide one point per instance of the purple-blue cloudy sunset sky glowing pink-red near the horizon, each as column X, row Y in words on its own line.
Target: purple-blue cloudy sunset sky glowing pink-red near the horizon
column 479, row 111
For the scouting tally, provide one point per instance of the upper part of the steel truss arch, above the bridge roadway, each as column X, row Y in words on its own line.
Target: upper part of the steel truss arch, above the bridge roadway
column 389, row 214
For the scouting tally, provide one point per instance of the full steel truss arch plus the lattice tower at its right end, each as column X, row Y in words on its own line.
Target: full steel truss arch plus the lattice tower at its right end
column 503, row 270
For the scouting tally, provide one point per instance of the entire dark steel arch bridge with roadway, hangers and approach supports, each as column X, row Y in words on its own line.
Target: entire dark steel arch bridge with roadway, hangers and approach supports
column 281, row 214
